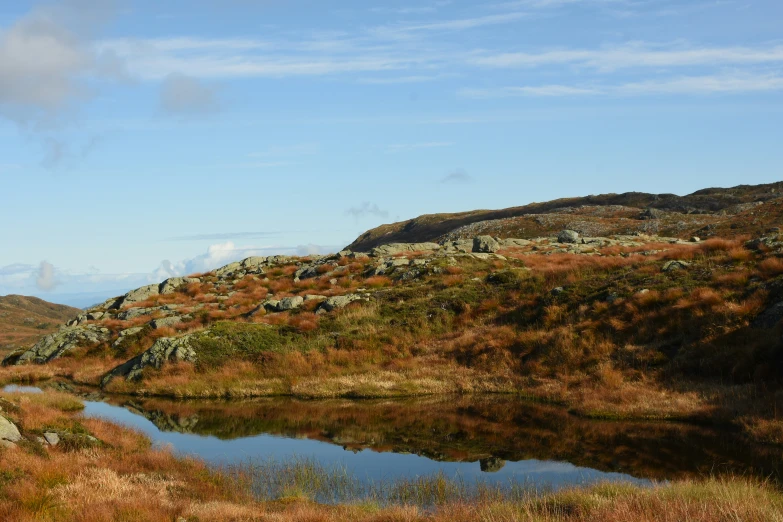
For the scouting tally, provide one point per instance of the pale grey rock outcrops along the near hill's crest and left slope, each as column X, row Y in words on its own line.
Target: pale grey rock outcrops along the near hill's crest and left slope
column 147, row 310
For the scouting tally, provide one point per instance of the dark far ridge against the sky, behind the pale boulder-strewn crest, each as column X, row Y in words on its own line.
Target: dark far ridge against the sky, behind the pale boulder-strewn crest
column 745, row 209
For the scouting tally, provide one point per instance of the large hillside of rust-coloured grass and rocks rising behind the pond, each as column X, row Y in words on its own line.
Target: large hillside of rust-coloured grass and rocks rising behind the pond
column 613, row 322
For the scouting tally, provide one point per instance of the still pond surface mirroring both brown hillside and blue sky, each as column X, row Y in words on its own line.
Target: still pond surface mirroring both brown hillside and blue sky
column 488, row 438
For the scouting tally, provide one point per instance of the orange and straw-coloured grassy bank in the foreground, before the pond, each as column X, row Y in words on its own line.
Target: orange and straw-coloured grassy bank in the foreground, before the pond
column 119, row 476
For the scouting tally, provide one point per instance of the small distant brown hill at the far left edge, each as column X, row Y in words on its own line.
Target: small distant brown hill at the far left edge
column 24, row 320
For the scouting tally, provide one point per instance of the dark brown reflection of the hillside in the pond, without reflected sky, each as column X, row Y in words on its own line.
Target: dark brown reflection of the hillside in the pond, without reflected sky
column 487, row 429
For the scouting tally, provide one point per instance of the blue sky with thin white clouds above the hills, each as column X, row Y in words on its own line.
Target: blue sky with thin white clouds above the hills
column 142, row 139
